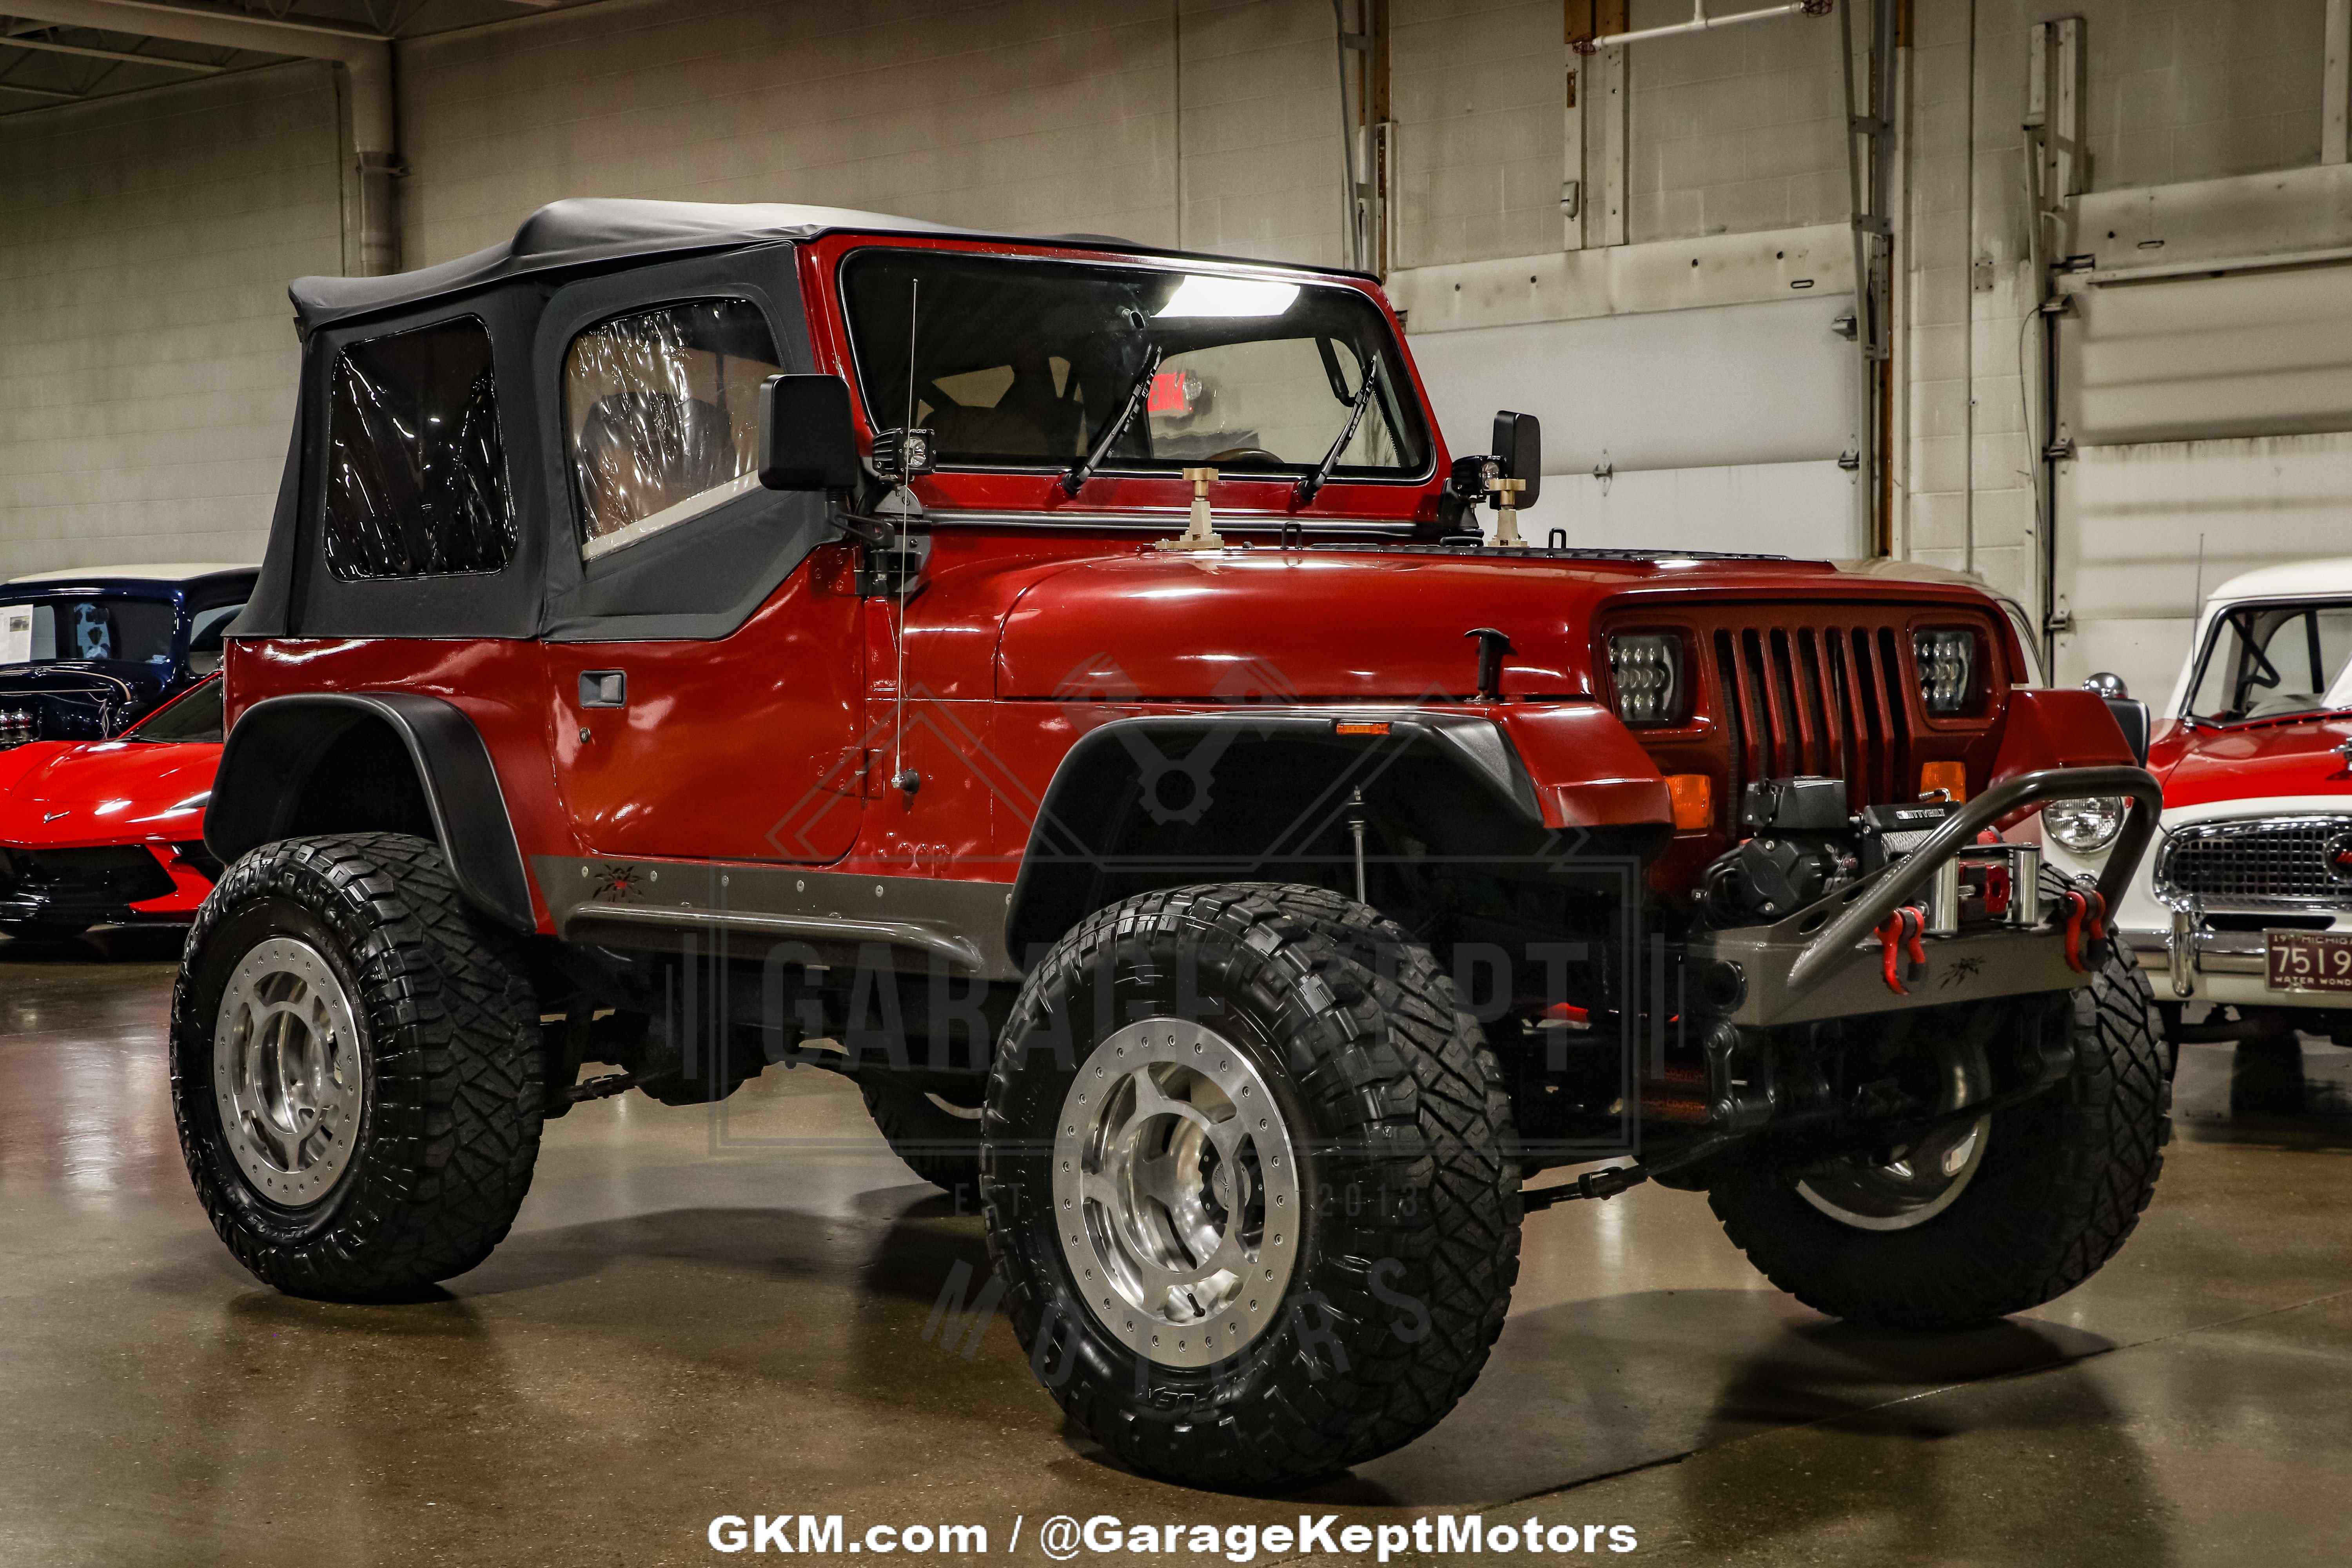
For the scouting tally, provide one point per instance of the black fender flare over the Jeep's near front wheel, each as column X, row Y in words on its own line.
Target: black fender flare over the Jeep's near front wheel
column 1064, row 850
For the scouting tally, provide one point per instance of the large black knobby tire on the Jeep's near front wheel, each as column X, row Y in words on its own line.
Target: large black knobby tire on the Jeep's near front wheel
column 1412, row 1195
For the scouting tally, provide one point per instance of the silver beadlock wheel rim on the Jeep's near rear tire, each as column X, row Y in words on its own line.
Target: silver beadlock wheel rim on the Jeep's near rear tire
column 288, row 1073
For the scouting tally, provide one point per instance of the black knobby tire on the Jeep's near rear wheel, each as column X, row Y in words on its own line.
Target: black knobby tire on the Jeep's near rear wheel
column 453, row 1106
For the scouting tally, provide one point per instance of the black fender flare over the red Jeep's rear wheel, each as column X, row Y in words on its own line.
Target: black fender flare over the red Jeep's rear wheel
column 276, row 746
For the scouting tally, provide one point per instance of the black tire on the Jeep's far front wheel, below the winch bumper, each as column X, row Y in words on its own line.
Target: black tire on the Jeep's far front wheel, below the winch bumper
column 2062, row 1186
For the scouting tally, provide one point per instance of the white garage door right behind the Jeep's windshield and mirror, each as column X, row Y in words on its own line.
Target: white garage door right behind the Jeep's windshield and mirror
column 1723, row 424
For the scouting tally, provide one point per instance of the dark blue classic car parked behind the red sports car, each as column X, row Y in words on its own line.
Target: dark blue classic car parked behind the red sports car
column 86, row 655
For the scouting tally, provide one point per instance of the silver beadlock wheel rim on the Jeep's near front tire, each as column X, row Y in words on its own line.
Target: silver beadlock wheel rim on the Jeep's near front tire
column 1177, row 1193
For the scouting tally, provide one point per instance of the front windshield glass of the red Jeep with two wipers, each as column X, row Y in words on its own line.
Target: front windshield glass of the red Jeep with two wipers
column 1027, row 363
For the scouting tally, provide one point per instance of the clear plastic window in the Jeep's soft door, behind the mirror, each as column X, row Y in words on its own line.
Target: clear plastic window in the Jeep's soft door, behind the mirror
column 662, row 417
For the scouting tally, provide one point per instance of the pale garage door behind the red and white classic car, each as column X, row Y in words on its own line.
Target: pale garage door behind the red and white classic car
column 2212, row 424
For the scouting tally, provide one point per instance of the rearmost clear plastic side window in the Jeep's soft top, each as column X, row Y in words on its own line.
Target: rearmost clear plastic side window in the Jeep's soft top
column 415, row 464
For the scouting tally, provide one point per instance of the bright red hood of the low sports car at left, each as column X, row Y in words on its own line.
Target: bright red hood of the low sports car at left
column 107, row 793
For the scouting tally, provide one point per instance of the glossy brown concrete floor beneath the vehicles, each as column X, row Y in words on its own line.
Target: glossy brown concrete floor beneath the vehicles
column 728, row 1315
